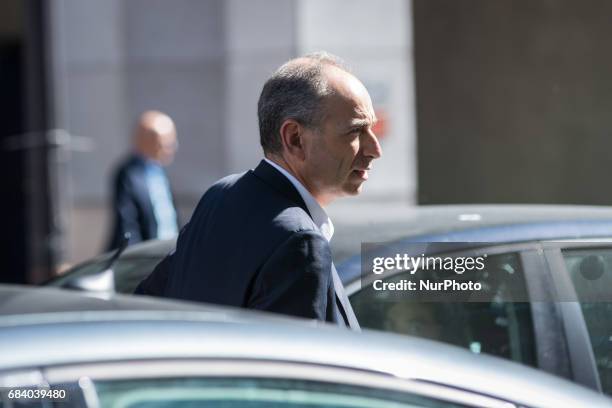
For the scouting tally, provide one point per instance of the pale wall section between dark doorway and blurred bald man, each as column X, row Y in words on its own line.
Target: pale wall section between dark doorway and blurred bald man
column 90, row 100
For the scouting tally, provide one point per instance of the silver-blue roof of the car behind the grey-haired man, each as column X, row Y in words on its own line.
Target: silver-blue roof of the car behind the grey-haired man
column 369, row 222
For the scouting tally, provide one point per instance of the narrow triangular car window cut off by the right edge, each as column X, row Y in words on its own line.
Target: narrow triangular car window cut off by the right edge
column 591, row 273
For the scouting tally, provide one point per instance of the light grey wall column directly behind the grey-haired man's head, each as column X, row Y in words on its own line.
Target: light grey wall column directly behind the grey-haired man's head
column 255, row 48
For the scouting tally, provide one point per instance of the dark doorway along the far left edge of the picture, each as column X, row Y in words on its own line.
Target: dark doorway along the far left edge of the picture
column 24, row 204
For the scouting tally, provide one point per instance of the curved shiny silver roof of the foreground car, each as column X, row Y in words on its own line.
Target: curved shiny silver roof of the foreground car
column 95, row 334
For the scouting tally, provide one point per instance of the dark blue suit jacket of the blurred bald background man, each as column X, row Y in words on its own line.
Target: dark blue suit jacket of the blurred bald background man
column 132, row 208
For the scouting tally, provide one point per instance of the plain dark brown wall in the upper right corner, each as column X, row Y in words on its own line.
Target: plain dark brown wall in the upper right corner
column 514, row 101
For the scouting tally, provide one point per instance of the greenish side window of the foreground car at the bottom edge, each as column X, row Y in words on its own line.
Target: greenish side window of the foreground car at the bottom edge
column 252, row 393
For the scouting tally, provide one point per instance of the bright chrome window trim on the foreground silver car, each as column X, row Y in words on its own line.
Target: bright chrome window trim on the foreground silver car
column 262, row 369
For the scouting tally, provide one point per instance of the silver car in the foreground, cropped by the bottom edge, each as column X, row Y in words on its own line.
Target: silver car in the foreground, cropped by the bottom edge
column 78, row 350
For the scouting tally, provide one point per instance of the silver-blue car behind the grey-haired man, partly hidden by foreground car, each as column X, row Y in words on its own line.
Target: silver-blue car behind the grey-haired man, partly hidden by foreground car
column 539, row 247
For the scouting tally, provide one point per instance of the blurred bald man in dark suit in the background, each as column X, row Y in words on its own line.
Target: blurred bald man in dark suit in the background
column 142, row 200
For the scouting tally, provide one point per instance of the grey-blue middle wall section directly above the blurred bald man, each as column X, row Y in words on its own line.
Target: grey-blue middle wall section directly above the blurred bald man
column 175, row 55
